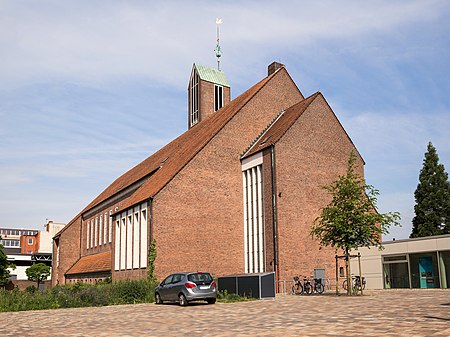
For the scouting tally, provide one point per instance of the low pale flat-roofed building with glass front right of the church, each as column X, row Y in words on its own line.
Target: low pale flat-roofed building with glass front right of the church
column 411, row 263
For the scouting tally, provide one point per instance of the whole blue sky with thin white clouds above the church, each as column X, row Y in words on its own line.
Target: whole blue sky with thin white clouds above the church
column 88, row 89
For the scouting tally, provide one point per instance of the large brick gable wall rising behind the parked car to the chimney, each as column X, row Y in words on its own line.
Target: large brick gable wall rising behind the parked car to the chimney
column 198, row 216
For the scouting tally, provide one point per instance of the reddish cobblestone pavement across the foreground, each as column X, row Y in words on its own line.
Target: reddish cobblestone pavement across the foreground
column 378, row 313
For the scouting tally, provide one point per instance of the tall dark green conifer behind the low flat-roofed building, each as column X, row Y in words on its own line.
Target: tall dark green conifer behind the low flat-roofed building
column 432, row 209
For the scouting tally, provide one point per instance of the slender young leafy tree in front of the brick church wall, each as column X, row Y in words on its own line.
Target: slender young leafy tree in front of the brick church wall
column 351, row 220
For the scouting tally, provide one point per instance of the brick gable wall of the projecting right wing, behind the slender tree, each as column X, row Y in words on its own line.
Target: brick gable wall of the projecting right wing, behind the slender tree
column 313, row 153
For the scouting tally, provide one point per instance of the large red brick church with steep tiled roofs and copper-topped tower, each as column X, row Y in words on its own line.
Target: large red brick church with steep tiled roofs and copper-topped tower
column 236, row 193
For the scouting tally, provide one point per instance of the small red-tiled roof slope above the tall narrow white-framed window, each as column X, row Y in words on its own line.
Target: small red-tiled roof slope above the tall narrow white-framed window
column 279, row 126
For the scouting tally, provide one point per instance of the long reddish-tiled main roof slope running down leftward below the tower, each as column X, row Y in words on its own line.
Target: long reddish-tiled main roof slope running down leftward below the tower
column 157, row 170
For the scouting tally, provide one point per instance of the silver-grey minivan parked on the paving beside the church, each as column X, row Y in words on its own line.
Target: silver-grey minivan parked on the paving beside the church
column 186, row 287
